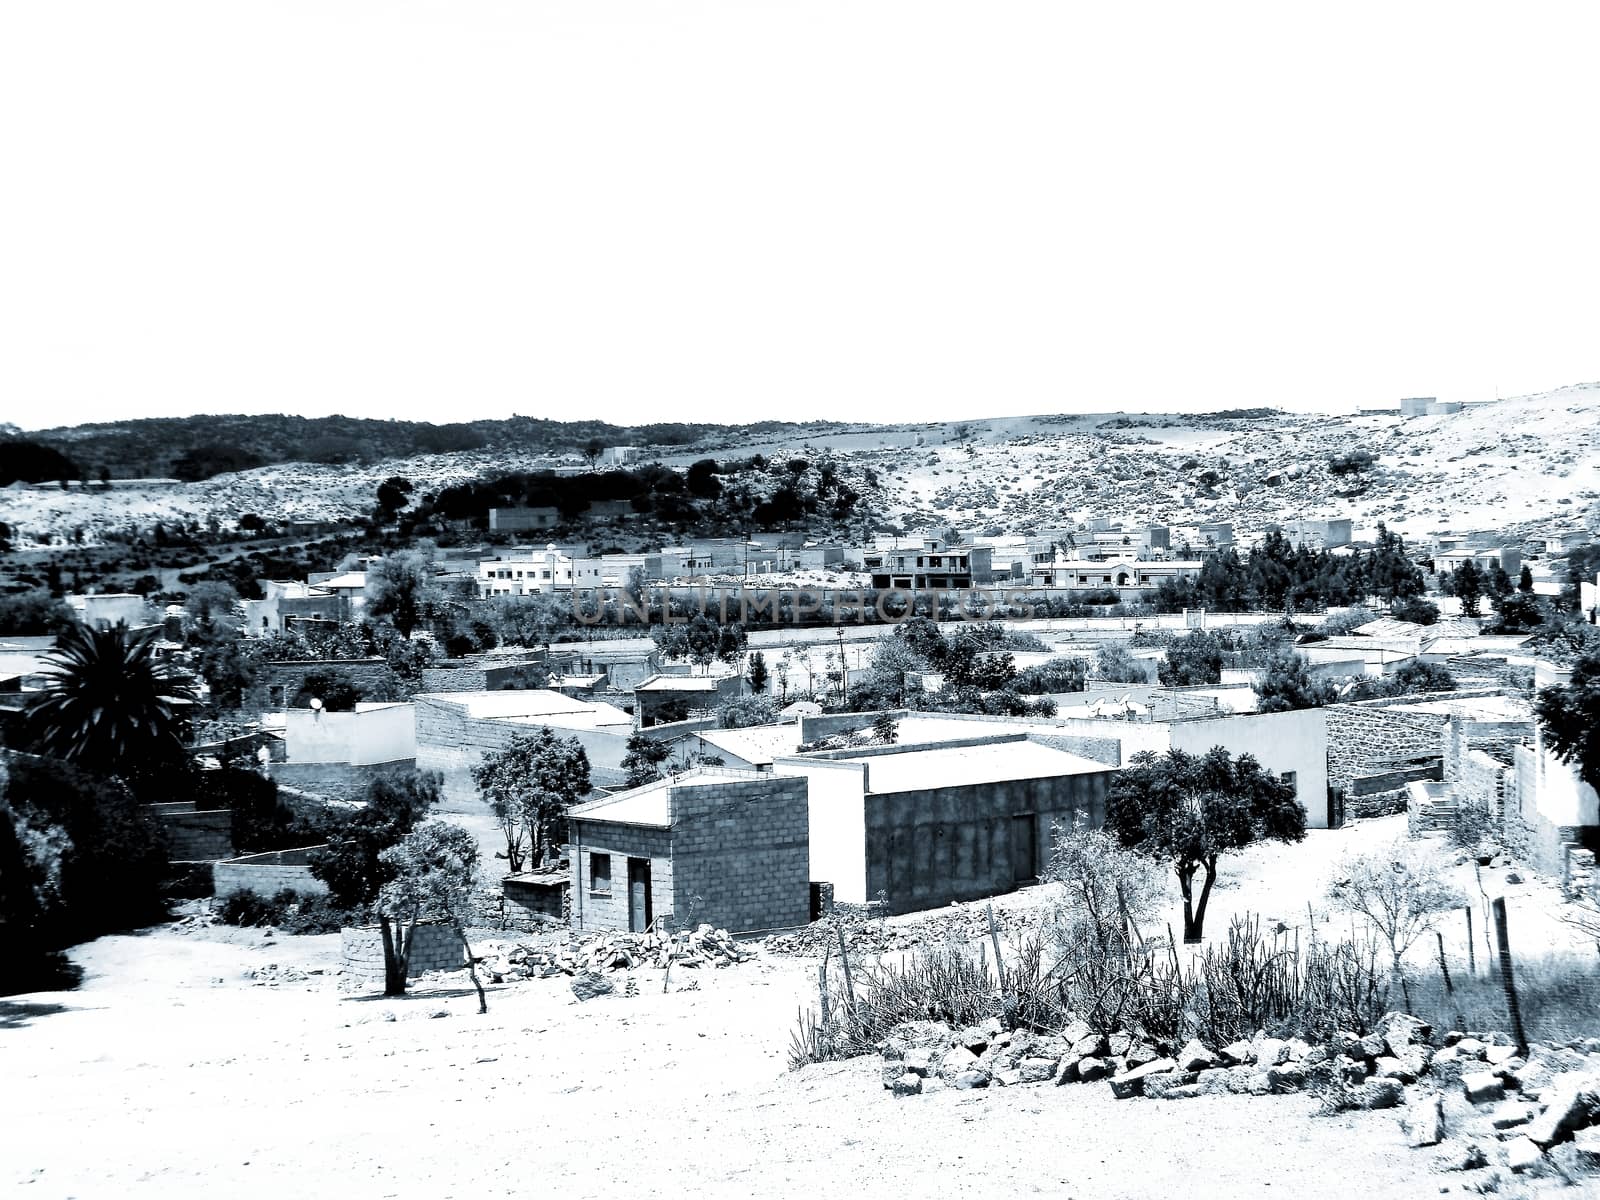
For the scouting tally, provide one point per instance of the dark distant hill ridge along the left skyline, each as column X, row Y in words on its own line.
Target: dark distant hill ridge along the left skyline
column 201, row 447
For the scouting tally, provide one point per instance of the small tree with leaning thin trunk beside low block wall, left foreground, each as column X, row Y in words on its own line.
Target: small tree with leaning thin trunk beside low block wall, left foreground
column 431, row 878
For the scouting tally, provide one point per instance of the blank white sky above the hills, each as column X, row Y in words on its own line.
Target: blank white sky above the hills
column 732, row 210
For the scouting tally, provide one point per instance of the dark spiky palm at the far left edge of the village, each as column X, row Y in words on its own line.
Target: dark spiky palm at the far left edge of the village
column 110, row 705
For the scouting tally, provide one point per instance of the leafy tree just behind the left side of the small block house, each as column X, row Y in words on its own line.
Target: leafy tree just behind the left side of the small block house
column 529, row 786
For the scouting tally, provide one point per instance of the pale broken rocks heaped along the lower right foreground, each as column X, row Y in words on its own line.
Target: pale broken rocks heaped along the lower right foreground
column 1474, row 1100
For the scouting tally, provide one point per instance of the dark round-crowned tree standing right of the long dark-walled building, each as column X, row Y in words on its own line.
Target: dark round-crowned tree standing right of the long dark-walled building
column 1190, row 810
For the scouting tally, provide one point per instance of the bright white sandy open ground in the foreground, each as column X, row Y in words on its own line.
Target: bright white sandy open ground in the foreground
column 158, row 1081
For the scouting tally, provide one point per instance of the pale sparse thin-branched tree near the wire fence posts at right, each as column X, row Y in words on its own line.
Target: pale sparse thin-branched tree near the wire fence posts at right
column 1402, row 890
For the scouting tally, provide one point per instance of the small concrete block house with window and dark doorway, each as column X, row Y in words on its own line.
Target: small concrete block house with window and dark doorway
column 719, row 847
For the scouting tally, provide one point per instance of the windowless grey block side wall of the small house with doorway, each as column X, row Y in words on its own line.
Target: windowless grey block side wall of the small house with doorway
column 742, row 854
